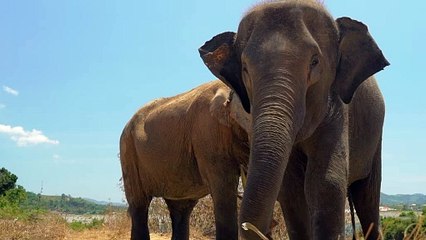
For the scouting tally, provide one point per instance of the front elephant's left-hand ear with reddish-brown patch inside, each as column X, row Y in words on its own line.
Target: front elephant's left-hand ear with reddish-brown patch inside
column 219, row 56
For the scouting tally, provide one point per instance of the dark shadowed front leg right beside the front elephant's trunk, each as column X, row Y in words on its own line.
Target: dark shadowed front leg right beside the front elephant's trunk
column 292, row 198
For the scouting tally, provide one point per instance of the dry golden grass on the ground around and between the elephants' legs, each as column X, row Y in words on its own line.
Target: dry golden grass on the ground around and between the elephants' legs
column 116, row 225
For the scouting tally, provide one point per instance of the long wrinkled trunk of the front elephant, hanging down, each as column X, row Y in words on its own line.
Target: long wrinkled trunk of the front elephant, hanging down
column 277, row 117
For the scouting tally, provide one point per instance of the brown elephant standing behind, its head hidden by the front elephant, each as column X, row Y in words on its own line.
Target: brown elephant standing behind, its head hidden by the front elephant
column 182, row 148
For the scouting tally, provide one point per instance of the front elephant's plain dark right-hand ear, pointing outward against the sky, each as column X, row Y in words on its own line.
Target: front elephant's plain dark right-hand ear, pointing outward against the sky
column 360, row 57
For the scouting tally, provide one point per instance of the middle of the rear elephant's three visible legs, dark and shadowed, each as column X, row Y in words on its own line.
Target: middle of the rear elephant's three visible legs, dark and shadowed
column 180, row 212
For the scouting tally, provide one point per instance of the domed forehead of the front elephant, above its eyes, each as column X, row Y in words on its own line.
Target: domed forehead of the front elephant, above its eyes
column 282, row 28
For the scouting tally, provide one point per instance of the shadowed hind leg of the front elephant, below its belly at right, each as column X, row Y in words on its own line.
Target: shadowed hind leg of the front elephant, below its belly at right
column 366, row 197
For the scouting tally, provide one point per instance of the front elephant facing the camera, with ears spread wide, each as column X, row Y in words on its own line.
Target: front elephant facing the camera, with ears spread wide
column 317, row 113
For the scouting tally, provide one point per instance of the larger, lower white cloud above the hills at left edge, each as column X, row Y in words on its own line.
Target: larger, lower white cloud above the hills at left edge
column 25, row 138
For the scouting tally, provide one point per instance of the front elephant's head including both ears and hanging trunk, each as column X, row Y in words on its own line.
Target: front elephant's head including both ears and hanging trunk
column 292, row 65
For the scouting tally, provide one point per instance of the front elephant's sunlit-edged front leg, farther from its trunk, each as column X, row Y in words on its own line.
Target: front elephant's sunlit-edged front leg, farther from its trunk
column 326, row 184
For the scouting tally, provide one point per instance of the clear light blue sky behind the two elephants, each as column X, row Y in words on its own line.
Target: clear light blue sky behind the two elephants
column 73, row 72
